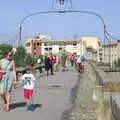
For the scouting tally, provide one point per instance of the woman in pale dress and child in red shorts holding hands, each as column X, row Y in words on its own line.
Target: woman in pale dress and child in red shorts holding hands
column 8, row 79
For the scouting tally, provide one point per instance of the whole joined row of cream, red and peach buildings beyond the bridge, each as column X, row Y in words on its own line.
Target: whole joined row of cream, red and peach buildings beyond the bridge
column 45, row 44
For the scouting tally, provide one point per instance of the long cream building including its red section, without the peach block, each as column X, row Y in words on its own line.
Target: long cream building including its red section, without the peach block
column 45, row 44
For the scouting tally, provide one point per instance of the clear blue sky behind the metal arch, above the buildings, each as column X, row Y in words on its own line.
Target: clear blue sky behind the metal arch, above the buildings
column 59, row 26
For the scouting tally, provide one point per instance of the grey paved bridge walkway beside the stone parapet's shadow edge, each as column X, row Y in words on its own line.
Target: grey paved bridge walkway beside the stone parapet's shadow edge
column 52, row 96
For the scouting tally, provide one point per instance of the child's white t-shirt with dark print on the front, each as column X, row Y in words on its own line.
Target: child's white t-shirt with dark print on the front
column 29, row 81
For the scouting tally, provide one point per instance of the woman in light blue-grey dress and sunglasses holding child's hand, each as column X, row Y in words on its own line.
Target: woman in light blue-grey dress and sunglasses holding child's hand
column 8, row 71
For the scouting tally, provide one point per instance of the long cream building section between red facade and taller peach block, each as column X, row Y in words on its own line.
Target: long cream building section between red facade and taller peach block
column 70, row 46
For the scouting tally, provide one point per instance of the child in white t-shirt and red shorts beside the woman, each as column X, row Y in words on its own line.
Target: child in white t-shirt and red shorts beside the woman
column 28, row 80
